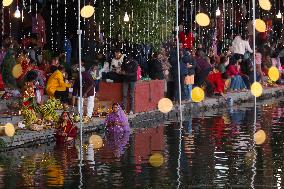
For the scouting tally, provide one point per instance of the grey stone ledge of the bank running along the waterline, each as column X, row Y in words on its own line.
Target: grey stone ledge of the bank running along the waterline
column 142, row 120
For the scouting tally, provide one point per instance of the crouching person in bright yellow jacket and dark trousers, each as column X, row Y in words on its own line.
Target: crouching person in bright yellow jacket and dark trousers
column 57, row 87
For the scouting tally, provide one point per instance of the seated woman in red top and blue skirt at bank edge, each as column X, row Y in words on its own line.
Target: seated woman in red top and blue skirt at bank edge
column 233, row 72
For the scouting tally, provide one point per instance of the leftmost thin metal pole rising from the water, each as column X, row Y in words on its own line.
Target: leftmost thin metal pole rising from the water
column 79, row 32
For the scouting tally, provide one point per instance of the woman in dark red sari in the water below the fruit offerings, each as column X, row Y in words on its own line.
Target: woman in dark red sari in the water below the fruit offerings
column 66, row 130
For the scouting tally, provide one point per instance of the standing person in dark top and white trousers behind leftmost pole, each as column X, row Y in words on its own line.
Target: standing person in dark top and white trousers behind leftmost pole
column 88, row 93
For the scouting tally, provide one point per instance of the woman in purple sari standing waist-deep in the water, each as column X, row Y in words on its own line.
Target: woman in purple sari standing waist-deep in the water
column 117, row 119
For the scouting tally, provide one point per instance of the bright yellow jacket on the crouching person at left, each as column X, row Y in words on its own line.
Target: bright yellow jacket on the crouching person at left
column 56, row 83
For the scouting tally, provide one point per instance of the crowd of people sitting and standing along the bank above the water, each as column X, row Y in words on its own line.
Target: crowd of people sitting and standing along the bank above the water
column 230, row 70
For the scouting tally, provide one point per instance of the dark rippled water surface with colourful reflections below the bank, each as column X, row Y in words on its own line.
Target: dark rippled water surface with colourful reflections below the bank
column 216, row 150
